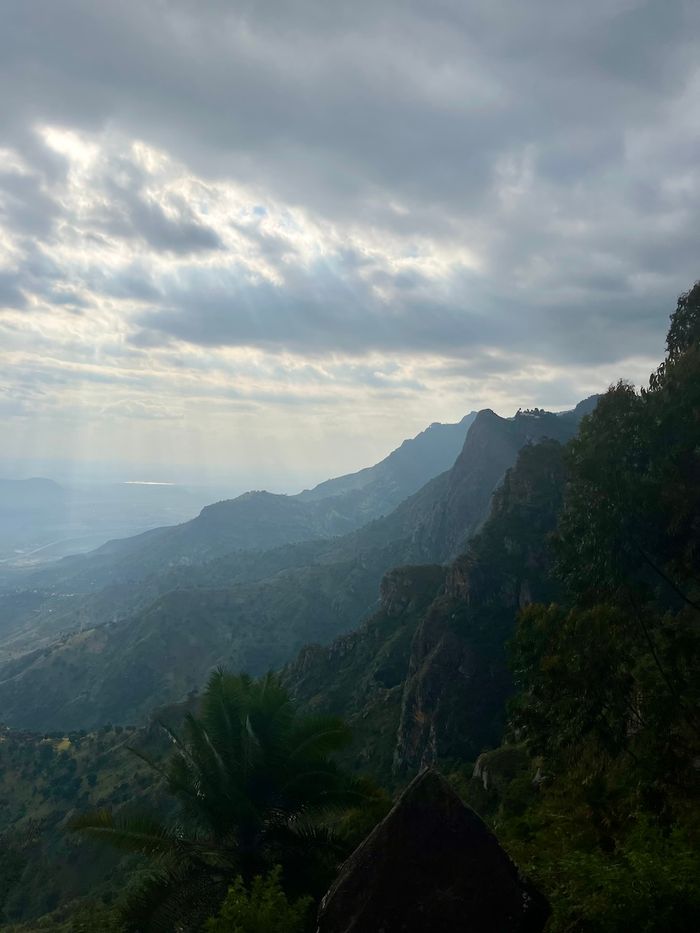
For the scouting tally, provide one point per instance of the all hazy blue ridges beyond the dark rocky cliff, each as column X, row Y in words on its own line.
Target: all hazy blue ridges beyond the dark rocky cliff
column 180, row 601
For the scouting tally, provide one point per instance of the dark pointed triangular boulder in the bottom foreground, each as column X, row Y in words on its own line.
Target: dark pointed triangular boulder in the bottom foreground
column 431, row 865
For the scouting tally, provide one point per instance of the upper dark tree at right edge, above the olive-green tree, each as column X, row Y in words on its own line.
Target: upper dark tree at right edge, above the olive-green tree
column 631, row 521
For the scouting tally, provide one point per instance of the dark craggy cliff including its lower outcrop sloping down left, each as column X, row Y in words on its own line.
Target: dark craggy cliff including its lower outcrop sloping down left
column 427, row 677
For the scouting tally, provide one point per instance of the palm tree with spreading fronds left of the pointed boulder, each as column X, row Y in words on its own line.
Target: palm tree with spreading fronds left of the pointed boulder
column 255, row 786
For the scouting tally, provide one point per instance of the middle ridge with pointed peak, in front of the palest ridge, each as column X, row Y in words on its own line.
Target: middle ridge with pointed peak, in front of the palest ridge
column 313, row 591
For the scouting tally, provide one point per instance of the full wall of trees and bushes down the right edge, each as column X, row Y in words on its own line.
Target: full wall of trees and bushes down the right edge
column 609, row 678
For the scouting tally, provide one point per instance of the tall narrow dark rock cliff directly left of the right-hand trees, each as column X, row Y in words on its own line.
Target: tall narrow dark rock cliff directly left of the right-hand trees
column 458, row 677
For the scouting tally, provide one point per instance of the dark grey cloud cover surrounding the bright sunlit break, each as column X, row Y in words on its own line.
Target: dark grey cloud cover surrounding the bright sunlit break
column 558, row 141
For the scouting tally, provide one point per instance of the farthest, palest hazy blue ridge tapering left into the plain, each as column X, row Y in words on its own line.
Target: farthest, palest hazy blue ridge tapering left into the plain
column 261, row 520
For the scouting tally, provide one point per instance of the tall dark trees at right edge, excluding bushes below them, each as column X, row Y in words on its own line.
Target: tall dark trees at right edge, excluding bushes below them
column 619, row 662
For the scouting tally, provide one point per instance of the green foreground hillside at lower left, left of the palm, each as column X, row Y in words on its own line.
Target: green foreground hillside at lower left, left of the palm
column 44, row 777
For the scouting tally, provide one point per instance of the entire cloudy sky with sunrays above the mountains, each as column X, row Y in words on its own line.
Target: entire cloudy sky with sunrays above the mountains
column 272, row 239
